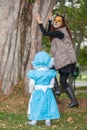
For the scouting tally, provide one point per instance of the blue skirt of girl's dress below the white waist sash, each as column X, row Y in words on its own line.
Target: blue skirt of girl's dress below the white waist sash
column 43, row 106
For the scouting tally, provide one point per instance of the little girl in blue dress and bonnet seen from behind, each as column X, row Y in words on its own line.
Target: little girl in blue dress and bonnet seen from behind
column 42, row 104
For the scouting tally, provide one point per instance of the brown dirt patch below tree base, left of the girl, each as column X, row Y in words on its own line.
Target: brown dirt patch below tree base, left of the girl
column 13, row 103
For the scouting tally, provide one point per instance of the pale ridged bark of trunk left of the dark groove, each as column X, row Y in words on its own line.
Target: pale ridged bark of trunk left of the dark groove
column 10, row 43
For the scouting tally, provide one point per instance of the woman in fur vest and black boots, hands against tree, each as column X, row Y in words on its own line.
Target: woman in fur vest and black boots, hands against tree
column 62, row 51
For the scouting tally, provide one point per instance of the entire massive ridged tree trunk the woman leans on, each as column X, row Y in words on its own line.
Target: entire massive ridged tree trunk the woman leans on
column 20, row 38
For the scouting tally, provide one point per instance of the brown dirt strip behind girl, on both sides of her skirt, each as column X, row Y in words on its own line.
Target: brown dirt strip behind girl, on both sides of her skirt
column 18, row 102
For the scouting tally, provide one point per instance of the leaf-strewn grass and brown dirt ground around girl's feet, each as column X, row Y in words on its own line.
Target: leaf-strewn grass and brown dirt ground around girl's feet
column 13, row 114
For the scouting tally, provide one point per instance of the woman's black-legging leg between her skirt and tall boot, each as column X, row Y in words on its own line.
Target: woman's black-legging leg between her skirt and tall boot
column 63, row 80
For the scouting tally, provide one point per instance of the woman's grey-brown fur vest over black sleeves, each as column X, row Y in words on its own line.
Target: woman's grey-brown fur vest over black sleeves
column 62, row 50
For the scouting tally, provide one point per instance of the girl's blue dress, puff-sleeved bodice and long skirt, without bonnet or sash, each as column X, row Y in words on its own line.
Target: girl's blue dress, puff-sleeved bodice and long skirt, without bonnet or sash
column 43, row 105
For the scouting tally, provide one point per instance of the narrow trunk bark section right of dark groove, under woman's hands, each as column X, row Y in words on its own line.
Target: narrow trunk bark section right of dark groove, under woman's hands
column 43, row 7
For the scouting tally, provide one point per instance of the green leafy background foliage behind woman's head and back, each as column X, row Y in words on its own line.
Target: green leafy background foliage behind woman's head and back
column 76, row 20
